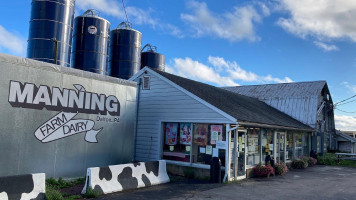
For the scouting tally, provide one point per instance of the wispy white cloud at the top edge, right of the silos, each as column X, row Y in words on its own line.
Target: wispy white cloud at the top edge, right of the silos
column 235, row 25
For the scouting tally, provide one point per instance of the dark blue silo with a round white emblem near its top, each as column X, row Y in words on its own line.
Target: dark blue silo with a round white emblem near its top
column 90, row 43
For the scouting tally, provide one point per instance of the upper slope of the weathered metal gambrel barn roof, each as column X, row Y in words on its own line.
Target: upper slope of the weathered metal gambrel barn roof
column 281, row 90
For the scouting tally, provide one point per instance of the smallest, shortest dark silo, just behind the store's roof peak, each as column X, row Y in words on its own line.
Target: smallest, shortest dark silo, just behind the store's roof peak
column 151, row 58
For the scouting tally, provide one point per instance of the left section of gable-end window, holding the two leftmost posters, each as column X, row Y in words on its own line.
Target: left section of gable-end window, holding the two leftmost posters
column 177, row 141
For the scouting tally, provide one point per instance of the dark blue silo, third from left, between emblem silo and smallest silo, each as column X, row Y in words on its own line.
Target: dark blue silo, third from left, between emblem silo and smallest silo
column 124, row 51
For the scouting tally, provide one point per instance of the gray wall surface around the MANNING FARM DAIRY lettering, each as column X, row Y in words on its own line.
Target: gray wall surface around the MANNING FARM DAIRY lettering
column 69, row 157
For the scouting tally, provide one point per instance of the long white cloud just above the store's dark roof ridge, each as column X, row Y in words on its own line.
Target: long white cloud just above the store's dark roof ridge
column 218, row 71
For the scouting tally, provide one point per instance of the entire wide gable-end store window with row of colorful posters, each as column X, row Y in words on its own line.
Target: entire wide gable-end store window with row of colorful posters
column 195, row 143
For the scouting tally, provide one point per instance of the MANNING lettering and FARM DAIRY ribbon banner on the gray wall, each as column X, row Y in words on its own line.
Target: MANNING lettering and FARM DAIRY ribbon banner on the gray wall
column 69, row 102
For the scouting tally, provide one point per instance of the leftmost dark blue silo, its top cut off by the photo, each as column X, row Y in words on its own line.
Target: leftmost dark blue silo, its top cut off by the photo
column 50, row 32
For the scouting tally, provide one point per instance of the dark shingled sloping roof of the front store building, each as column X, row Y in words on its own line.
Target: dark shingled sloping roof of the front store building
column 243, row 108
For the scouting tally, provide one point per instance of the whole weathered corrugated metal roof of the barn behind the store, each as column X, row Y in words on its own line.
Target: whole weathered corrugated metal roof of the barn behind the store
column 298, row 99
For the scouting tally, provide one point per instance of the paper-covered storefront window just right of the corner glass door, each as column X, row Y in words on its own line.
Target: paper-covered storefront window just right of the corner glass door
column 253, row 154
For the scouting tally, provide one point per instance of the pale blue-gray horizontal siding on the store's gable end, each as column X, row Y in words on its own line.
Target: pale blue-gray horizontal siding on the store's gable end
column 165, row 103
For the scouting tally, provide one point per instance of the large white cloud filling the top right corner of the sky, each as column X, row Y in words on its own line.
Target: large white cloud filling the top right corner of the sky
column 324, row 19
